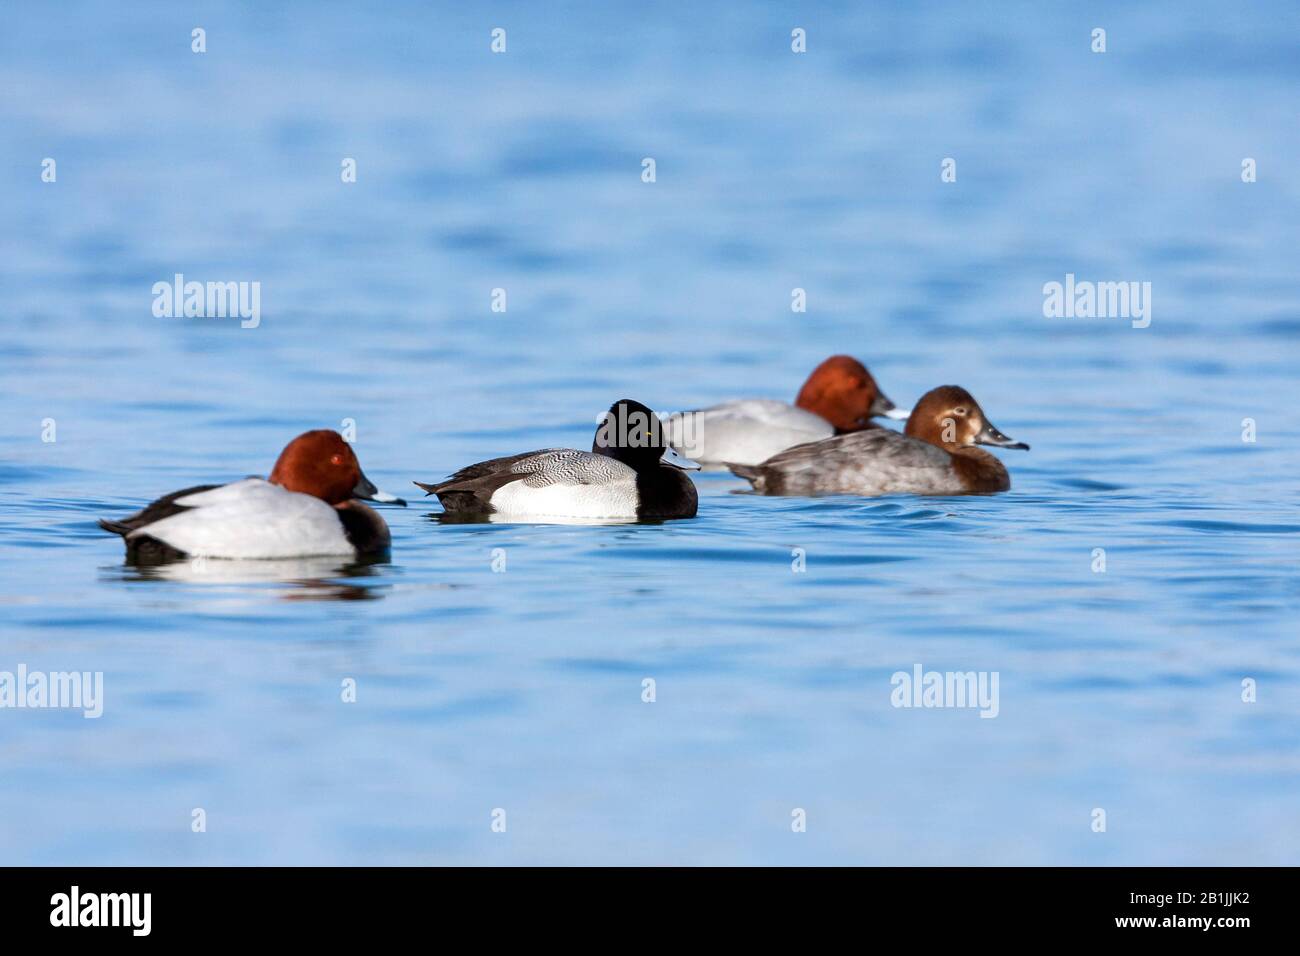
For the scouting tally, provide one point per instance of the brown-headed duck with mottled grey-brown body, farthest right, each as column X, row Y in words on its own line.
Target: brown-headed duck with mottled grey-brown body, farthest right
column 935, row 455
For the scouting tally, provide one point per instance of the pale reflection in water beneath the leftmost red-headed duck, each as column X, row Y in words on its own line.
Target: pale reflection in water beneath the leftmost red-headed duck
column 306, row 579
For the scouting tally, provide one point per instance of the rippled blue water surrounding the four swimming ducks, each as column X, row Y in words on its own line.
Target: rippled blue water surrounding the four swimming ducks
column 523, row 690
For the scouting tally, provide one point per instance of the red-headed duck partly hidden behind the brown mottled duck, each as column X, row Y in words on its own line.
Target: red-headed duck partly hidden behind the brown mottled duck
column 839, row 397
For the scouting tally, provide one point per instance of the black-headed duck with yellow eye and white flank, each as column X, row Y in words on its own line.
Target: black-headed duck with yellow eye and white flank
column 631, row 473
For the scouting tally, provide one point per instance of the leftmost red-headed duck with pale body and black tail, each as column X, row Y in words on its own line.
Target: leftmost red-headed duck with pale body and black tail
column 310, row 507
